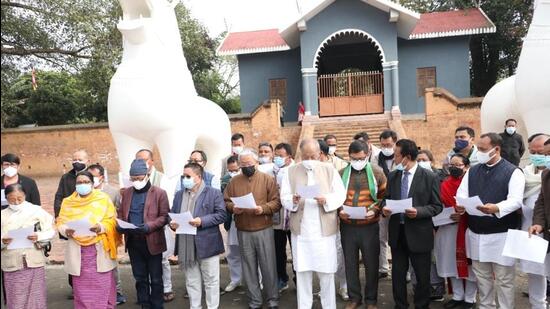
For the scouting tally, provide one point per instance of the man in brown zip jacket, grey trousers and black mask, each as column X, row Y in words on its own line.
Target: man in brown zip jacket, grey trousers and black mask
column 254, row 228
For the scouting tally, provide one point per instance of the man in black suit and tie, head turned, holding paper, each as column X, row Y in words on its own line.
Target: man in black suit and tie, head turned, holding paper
column 411, row 233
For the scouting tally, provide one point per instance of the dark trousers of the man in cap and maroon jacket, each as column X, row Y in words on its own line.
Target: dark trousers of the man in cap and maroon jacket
column 146, row 267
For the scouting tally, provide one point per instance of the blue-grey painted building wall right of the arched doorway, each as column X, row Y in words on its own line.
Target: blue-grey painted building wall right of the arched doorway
column 450, row 56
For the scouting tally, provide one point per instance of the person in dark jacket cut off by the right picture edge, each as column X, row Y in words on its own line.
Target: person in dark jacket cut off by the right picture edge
column 541, row 215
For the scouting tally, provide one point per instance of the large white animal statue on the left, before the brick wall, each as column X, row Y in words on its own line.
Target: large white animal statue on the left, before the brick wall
column 152, row 99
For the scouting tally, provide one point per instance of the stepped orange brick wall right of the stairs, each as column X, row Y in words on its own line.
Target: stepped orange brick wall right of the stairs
column 444, row 113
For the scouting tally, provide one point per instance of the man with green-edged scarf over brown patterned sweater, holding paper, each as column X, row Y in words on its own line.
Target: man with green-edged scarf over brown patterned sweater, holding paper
column 366, row 185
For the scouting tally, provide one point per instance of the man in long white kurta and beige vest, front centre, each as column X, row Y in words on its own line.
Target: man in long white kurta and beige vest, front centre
column 313, row 223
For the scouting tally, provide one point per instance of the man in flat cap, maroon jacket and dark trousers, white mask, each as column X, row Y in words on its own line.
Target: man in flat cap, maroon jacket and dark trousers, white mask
column 146, row 206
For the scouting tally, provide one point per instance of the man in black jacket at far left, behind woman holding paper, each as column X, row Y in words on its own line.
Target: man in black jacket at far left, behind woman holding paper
column 10, row 168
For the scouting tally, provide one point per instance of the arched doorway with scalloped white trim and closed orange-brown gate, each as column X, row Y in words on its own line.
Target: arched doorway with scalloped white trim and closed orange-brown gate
column 349, row 74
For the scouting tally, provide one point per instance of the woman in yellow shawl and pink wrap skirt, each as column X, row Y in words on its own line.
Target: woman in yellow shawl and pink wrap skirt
column 90, row 260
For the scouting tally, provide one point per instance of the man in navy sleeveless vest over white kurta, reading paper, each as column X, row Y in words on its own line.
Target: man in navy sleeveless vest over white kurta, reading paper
column 499, row 185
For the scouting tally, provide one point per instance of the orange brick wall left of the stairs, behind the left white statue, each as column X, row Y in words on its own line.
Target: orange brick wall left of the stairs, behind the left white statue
column 47, row 151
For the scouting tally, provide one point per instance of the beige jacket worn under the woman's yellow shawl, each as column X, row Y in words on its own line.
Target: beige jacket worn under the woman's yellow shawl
column 73, row 258
